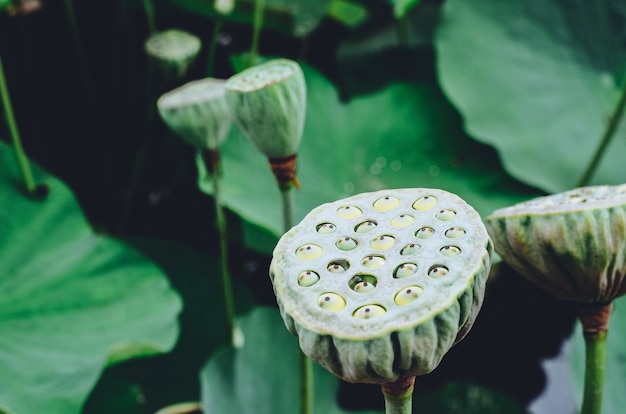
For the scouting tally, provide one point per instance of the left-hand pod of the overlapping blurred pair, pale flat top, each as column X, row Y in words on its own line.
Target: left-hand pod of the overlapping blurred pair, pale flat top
column 197, row 111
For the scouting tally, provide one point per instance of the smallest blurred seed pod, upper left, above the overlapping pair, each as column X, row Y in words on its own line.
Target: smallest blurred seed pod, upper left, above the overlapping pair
column 174, row 51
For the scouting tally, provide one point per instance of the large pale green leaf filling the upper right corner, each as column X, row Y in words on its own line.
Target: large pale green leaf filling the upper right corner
column 538, row 80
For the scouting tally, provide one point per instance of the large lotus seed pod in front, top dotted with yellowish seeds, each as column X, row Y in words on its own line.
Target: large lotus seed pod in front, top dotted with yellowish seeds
column 379, row 286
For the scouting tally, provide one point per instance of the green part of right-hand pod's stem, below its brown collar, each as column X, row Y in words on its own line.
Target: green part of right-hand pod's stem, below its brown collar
column 595, row 367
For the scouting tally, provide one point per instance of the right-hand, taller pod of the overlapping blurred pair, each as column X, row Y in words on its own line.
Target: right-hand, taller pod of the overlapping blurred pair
column 269, row 105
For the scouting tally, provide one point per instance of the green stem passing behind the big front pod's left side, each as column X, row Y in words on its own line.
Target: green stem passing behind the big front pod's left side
column 287, row 193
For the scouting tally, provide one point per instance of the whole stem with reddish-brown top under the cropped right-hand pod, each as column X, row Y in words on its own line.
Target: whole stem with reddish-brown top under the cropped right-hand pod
column 595, row 323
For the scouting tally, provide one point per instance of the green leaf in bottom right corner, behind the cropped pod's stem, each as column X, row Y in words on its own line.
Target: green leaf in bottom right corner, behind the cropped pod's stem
column 614, row 399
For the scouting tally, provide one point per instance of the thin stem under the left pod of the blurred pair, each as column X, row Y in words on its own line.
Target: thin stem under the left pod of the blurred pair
column 211, row 162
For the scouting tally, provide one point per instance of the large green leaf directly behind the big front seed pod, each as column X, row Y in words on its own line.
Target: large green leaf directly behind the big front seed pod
column 406, row 135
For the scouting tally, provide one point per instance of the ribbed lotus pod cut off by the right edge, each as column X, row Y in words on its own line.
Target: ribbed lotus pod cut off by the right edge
column 571, row 244
